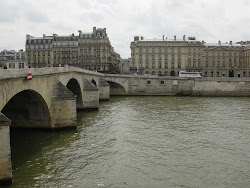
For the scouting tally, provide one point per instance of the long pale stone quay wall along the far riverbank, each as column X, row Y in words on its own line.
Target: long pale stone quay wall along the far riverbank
column 175, row 86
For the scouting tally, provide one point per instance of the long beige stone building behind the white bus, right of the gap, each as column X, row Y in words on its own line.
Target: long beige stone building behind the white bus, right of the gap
column 166, row 57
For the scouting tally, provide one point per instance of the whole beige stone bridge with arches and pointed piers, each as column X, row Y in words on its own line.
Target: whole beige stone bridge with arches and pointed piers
column 49, row 100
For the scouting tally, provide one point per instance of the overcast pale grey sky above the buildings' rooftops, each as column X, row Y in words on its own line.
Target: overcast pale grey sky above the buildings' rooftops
column 208, row 20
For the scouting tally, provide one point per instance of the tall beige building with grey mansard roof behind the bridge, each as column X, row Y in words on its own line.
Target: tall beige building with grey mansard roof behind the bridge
column 91, row 51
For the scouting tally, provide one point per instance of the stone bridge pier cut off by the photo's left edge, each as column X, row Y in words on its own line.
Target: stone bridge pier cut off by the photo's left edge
column 5, row 151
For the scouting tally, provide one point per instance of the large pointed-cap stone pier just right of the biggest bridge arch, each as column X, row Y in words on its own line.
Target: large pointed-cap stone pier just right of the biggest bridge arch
column 63, row 107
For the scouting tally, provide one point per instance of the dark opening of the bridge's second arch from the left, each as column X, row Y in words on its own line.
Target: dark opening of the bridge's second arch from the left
column 75, row 88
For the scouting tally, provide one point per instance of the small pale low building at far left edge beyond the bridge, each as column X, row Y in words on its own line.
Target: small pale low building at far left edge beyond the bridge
column 12, row 59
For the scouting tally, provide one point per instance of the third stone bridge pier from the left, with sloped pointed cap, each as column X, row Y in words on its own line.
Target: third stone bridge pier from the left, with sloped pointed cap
column 90, row 95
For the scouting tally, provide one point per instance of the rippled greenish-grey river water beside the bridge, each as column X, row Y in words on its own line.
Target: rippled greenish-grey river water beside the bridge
column 141, row 142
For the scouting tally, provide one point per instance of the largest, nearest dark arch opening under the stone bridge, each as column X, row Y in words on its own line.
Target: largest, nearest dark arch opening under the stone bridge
column 28, row 109
